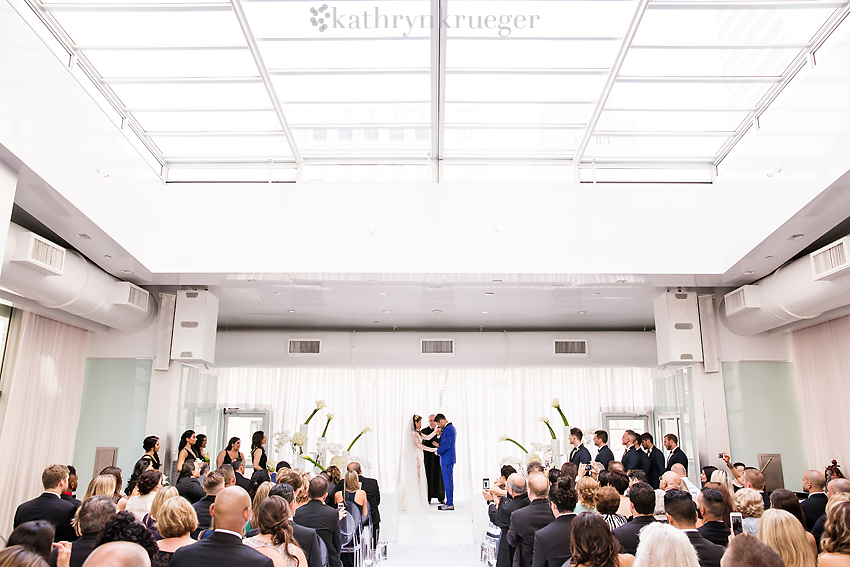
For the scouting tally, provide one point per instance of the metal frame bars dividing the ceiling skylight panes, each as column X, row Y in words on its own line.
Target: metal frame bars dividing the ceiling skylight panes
column 439, row 73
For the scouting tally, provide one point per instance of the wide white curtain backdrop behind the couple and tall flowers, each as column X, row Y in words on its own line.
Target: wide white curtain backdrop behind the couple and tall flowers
column 482, row 404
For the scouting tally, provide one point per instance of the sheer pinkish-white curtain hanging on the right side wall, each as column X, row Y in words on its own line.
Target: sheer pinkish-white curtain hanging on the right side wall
column 821, row 367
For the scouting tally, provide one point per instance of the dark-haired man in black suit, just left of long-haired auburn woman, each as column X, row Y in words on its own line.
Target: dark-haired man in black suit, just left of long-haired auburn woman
column 552, row 543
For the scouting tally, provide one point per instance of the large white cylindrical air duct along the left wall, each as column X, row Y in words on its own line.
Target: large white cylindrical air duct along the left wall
column 38, row 269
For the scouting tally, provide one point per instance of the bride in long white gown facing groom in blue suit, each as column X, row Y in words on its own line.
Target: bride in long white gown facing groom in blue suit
column 412, row 482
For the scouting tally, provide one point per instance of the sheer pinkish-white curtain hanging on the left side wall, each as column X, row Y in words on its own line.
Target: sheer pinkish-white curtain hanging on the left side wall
column 44, row 389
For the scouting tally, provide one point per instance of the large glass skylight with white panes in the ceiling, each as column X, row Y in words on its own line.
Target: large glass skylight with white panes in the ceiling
column 373, row 91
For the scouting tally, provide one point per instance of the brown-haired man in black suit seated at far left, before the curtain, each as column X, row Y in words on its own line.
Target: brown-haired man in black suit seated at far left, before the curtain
column 50, row 506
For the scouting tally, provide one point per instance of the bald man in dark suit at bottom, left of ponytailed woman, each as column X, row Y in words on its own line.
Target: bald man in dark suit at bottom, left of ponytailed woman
column 231, row 510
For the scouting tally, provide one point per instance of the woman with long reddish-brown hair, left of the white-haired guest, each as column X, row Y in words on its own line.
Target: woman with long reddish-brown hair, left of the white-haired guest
column 593, row 545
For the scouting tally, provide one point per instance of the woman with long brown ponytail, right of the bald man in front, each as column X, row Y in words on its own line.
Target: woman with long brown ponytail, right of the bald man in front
column 275, row 539
